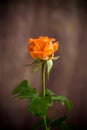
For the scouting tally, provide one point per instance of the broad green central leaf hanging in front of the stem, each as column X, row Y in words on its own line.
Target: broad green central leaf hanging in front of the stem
column 38, row 105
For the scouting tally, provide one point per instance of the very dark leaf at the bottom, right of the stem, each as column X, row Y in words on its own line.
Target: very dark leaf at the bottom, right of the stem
column 58, row 122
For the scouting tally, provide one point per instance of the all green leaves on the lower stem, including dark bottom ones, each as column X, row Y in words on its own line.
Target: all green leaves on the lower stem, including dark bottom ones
column 38, row 104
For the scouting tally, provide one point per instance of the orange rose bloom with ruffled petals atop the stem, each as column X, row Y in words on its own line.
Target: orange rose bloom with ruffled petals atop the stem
column 42, row 48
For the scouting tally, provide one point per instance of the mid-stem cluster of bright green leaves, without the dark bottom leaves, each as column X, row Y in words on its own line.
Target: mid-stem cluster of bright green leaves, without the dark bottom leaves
column 38, row 105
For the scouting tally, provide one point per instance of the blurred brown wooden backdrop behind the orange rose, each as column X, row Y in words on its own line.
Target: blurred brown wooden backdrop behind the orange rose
column 67, row 22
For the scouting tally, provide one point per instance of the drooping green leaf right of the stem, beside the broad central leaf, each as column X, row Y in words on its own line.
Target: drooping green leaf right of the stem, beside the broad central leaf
column 63, row 100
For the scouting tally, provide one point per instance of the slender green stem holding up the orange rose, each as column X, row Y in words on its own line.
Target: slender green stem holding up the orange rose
column 43, row 90
